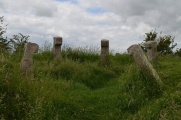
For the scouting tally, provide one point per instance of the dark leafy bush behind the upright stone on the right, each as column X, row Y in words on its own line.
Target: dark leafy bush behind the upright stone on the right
column 165, row 44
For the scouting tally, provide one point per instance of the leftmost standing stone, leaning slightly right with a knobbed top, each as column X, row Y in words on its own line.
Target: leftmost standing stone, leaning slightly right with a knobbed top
column 27, row 60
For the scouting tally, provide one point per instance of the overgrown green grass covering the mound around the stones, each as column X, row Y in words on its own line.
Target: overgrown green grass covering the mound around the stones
column 80, row 88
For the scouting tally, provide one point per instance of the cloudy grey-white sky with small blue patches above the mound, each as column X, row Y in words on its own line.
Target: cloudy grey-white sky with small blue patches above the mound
column 84, row 23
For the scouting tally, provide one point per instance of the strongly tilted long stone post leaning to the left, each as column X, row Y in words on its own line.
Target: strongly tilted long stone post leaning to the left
column 143, row 63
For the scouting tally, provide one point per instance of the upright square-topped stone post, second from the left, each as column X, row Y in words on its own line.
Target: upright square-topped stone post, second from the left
column 57, row 47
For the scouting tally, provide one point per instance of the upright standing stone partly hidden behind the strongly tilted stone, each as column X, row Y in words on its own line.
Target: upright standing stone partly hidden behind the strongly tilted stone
column 151, row 47
